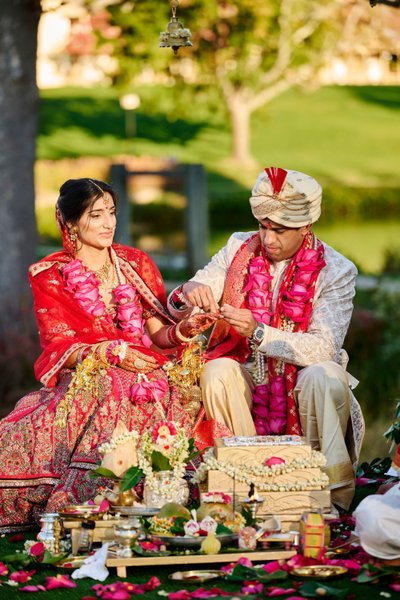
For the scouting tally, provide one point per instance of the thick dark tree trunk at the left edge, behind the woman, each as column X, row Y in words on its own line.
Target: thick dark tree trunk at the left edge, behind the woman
column 18, row 126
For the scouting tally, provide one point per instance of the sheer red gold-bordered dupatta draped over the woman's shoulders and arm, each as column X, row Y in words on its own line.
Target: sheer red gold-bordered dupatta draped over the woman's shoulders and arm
column 64, row 326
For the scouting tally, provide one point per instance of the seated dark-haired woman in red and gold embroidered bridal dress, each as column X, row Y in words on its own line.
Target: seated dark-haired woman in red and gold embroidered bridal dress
column 105, row 336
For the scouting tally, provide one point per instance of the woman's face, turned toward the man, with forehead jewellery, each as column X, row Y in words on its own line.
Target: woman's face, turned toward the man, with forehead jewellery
column 96, row 226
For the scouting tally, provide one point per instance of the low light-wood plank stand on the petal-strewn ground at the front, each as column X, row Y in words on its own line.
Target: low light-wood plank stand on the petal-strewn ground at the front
column 122, row 564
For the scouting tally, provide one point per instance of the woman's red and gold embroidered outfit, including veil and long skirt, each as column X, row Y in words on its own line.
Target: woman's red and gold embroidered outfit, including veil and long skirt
column 45, row 460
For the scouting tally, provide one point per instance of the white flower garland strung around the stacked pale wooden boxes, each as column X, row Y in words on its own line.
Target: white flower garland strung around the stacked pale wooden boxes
column 243, row 473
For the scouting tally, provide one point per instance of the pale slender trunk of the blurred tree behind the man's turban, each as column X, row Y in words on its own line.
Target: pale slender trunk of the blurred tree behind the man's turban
column 240, row 126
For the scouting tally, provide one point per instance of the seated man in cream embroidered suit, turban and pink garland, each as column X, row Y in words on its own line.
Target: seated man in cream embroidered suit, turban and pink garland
column 275, row 359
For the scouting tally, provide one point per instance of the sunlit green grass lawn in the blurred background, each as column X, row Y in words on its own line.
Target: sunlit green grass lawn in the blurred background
column 347, row 135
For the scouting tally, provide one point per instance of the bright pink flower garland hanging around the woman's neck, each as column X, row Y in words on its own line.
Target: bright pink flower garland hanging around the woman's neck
column 84, row 287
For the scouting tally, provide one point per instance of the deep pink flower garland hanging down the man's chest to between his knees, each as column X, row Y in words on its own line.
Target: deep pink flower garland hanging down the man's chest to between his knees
column 294, row 305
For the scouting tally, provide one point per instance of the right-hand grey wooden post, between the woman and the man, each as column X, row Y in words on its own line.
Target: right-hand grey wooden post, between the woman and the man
column 196, row 217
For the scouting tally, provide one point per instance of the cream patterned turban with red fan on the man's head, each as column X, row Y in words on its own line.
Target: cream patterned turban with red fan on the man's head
column 290, row 198
